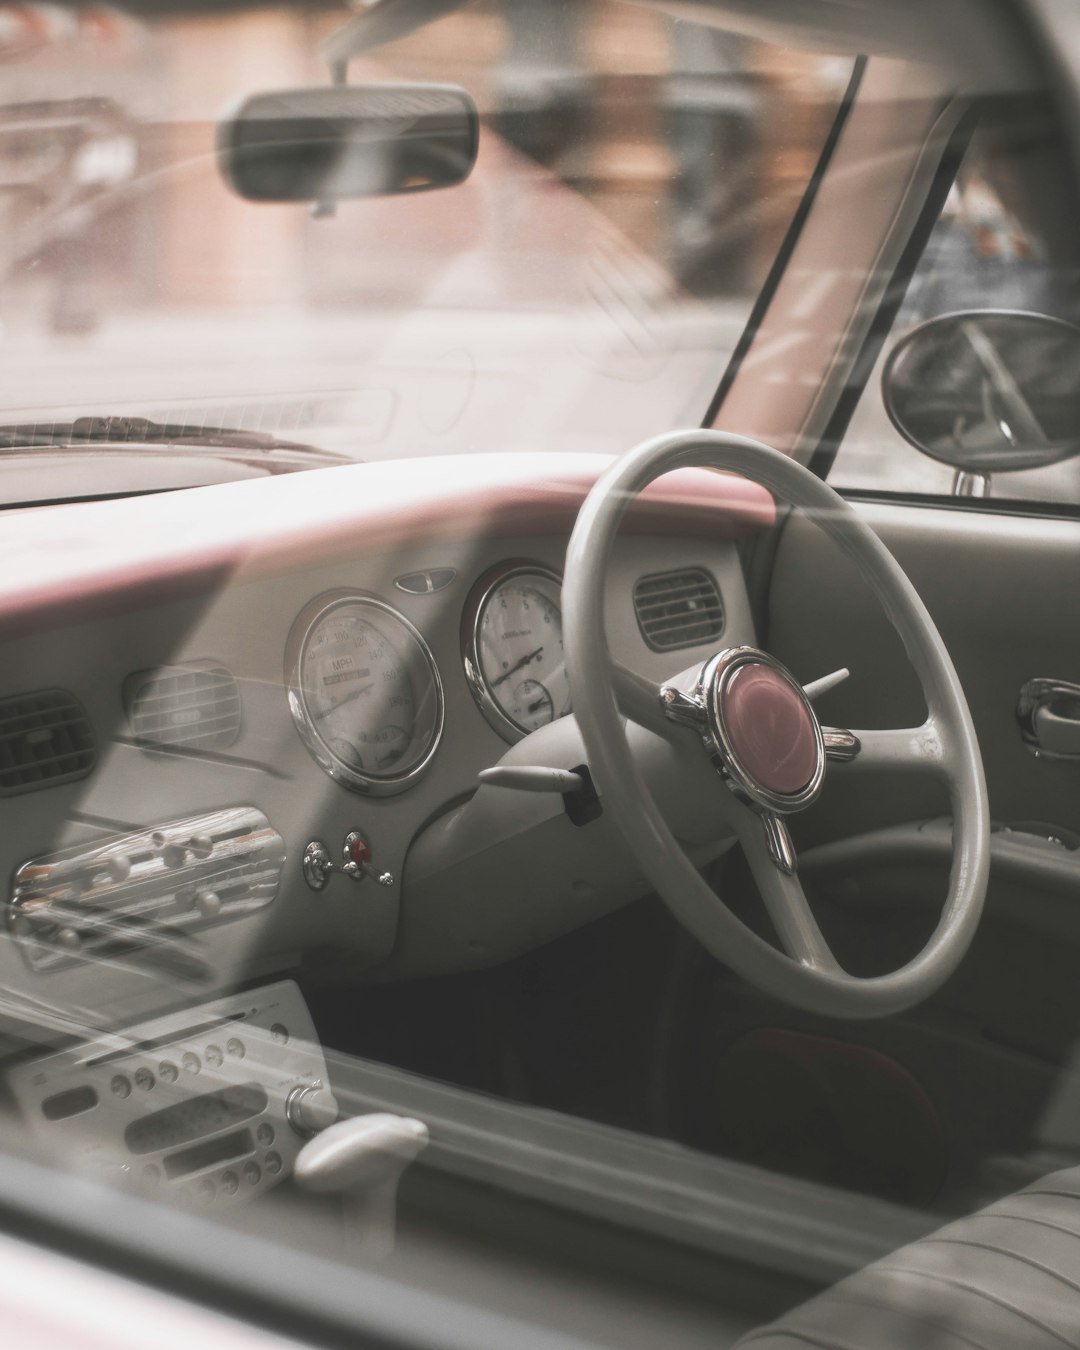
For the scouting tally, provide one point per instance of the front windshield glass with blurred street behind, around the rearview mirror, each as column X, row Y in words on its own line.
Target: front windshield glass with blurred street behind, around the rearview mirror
column 581, row 291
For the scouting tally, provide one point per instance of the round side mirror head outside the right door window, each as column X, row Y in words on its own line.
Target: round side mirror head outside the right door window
column 988, row 392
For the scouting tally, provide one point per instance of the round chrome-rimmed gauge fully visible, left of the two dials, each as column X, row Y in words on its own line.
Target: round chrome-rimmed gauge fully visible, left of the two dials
column 364, row 692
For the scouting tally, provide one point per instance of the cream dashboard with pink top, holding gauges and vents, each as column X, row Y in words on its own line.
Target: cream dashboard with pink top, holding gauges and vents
column 245, row 724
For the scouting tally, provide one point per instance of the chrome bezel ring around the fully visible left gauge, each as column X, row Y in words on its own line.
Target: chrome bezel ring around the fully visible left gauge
column 314, row 614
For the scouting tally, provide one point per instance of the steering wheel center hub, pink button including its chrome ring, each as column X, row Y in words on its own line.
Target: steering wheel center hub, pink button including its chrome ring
column 763, row 731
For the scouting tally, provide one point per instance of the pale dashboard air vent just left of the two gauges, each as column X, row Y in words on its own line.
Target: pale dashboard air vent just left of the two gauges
column 192, row 708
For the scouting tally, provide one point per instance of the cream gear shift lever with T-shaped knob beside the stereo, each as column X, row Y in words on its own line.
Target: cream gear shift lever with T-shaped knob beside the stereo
column 364, row 1160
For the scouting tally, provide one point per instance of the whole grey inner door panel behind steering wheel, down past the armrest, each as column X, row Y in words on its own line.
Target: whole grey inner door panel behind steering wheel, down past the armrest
column 998, row 1050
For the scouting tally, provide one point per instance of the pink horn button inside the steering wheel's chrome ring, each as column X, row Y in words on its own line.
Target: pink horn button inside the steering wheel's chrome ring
column 770, row 728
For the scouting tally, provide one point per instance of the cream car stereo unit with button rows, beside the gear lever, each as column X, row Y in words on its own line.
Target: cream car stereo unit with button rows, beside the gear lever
column 215, row 1102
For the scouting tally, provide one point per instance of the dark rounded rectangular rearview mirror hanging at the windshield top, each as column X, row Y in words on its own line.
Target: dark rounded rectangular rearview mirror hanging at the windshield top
column 349, row 141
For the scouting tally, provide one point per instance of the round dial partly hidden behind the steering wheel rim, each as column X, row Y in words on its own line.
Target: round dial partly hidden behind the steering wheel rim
column 514, row 649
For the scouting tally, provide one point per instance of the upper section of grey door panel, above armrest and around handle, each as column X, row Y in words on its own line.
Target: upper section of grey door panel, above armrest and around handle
column 1005, row 592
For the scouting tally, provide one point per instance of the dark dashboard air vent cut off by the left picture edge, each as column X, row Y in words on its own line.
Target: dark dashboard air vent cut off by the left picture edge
column 45, row 739
